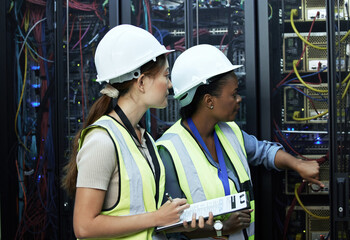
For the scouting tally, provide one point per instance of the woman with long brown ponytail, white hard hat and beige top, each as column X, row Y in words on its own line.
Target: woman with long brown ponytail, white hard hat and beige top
column 115, row 172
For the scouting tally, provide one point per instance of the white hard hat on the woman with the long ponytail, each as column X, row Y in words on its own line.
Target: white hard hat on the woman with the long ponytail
column 123, row 50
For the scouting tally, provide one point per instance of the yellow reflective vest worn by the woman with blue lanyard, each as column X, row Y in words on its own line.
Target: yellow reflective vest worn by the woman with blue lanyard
column 198, row 176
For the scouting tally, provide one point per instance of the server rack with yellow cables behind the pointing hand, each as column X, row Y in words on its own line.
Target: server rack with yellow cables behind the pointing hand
column 308, row 108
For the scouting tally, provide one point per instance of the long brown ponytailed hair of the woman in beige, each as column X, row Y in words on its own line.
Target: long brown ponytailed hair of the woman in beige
column 102, row 106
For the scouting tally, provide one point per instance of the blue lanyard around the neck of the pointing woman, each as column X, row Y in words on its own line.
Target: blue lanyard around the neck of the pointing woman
column 222, row 171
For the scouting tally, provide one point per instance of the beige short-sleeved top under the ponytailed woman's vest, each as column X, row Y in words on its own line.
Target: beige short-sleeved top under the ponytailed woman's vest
column 98, row 169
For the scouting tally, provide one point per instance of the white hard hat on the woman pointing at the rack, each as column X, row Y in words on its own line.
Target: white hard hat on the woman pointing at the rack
column 194, row 67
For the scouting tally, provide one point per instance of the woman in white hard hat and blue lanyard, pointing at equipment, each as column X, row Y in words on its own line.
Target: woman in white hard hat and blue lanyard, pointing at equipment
column 205, row 153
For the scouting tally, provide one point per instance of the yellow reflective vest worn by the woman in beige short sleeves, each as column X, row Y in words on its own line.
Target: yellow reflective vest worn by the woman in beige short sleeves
column 138, row 186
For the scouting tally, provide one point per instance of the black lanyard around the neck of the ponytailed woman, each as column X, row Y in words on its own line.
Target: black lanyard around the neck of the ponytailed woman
column 149, row 144
